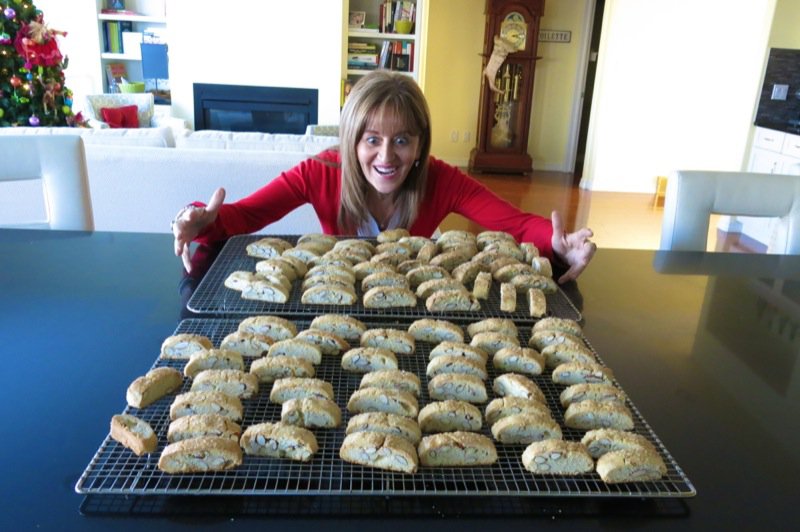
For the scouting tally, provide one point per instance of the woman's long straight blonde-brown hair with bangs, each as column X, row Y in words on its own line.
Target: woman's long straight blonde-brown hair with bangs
column 382, row 93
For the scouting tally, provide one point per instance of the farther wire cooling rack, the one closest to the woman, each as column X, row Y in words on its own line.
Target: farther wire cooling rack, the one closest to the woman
column 212, row 297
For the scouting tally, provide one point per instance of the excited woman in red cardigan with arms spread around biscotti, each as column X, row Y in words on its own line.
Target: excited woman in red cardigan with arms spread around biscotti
column 381, row 176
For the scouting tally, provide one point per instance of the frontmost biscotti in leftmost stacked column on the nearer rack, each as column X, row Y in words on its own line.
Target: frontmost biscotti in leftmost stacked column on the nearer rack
column 200, row 455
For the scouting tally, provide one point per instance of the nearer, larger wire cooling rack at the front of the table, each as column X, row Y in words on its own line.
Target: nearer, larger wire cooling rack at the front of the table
column 116, row 470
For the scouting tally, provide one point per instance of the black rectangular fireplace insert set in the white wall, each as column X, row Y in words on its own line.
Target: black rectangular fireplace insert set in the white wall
column 247, row 108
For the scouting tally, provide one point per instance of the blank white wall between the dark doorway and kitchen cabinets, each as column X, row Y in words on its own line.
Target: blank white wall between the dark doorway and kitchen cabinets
column 676, row 87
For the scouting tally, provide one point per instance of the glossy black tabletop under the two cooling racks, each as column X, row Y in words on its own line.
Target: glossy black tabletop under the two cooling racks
column 705, row 345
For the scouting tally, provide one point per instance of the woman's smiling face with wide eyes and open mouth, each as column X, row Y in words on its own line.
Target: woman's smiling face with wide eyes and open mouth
column 387, row 152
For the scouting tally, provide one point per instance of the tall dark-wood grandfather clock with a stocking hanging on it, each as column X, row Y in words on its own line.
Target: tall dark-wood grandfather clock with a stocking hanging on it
column 509, row 61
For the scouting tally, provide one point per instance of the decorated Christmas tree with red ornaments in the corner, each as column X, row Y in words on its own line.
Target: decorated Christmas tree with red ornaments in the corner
column 32, row 91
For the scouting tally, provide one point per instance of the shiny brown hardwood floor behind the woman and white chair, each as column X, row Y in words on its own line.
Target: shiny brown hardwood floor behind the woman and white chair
column 618, row 220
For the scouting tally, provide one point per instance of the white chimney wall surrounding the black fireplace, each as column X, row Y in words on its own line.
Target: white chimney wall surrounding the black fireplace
column 286, row 43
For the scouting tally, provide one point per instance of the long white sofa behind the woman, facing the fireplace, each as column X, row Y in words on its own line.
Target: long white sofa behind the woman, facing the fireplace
column 140, row 178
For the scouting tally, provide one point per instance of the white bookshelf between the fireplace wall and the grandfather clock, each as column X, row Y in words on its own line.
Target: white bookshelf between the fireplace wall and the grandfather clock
column 378, row 42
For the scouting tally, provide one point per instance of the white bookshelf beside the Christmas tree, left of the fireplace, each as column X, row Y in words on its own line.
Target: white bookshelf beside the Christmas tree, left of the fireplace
column 121, row 33
